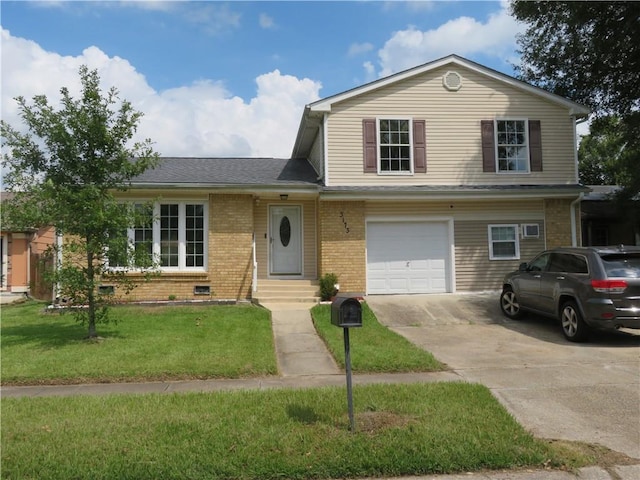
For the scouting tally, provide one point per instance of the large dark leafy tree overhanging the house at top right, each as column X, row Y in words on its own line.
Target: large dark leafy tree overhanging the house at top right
column 588, row 52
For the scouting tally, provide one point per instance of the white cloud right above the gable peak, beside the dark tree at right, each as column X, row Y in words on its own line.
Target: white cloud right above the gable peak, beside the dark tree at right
column 464, row 36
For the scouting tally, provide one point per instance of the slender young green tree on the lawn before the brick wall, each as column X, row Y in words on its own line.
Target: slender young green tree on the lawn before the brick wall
column 64, row 173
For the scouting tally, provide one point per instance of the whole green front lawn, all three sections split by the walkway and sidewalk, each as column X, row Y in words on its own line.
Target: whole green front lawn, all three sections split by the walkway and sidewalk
column 263, row 434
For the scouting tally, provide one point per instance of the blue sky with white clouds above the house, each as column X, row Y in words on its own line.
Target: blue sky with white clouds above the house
column 231, row 79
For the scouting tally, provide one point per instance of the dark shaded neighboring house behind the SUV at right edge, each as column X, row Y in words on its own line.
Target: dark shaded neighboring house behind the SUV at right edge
column 607, row 222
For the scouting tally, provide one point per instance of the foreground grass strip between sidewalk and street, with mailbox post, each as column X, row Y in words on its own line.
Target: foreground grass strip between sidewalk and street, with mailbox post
column 400, row 430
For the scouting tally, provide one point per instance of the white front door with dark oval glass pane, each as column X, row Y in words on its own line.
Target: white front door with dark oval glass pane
column 285, row 239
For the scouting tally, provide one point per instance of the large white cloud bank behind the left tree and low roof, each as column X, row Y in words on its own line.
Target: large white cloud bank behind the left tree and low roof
column 201, row 119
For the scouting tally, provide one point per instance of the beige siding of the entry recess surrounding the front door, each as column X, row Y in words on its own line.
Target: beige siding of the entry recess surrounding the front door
column 261, row 216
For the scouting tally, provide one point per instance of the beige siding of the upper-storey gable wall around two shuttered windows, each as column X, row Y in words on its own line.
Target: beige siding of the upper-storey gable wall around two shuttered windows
column 454, row 154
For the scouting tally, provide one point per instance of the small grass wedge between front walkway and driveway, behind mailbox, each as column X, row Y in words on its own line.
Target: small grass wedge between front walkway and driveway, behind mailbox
column 373, row 347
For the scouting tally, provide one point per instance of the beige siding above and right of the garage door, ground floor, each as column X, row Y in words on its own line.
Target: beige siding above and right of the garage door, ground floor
column 473, row 269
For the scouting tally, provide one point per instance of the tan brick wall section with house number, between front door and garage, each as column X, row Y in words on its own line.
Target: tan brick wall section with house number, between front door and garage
column 342, row 243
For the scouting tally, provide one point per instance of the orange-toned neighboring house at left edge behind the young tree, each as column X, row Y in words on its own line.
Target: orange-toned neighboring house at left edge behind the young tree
column 22, row 252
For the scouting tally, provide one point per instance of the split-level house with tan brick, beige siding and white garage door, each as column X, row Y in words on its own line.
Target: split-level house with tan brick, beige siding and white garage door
column 437, row 179
